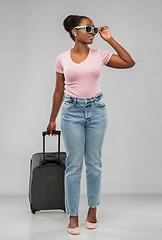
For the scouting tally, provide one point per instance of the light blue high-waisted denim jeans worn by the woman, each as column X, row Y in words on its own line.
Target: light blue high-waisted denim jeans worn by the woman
column 83, row 126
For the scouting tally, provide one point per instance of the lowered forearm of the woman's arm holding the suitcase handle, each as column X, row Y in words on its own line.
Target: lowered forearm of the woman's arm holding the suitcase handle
column 57, row 101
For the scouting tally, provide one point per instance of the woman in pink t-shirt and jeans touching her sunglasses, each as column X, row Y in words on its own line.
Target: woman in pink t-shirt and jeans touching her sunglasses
column 84, row 116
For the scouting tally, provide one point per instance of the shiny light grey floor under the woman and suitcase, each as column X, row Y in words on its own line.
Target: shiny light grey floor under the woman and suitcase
column 120, row 217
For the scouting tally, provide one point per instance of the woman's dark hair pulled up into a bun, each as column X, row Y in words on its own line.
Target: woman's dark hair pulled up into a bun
column 72, row 21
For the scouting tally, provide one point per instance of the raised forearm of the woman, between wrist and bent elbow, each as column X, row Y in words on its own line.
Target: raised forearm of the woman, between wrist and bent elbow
column 120, row 50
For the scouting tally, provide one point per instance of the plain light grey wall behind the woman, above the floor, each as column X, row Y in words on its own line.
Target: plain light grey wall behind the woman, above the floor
column 31, row 37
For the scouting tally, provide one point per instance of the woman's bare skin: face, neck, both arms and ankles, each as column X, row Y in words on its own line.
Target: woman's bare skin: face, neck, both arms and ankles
column 78, row 54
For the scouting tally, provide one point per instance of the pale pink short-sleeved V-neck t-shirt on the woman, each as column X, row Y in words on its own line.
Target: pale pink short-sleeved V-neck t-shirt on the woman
column 82, row 80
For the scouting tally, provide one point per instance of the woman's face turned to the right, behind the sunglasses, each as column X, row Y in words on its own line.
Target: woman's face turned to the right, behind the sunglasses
column 81, row 34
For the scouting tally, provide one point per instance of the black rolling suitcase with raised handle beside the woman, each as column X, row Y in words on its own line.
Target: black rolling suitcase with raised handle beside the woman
column 46, row 182
